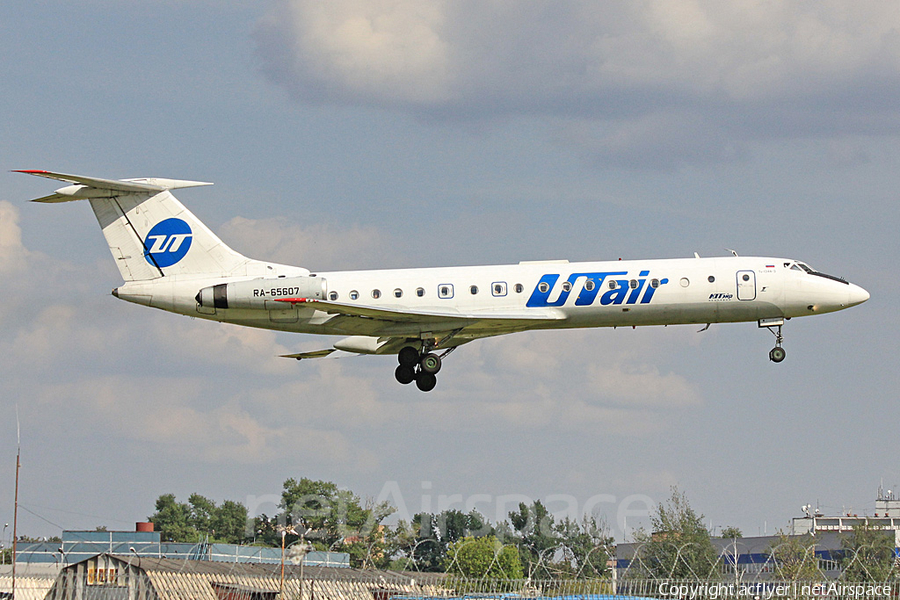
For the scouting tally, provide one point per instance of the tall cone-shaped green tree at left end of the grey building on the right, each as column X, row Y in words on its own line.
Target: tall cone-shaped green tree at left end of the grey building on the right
column 679, row 546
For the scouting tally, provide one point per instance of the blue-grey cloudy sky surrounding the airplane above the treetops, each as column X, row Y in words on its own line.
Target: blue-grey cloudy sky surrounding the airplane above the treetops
column 391, row 133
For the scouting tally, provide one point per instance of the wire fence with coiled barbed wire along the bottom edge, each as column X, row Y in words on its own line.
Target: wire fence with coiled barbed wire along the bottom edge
column 561, row 572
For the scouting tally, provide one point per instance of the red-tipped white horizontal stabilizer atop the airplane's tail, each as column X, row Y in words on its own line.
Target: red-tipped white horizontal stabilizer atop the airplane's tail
column 84, row 188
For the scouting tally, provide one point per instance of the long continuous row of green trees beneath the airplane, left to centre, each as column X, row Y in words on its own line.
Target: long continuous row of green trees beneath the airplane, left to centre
column 335, row 519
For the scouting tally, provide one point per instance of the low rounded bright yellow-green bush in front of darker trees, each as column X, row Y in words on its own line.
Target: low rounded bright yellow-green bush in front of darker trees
column 483, row 558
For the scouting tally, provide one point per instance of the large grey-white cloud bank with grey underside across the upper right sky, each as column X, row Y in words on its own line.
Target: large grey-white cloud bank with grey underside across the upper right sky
column 649, row 75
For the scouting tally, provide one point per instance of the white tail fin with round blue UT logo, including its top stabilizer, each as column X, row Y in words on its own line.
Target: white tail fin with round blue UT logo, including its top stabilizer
column 149, row 232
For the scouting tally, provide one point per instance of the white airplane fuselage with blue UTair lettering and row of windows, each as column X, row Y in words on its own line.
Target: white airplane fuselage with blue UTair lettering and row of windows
column 587, row 294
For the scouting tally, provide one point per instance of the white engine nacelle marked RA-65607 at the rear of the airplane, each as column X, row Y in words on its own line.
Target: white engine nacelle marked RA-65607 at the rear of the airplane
column 261, row 293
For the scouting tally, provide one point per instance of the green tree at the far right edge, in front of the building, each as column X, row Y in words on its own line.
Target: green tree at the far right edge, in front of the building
column 867, row 554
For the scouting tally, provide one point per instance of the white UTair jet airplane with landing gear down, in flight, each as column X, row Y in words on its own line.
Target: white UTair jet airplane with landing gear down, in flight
column 172, row 261
